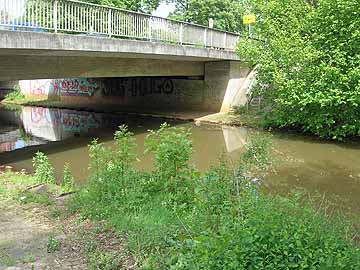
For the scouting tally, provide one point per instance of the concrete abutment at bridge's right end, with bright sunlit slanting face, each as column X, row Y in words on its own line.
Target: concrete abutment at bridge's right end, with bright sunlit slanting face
column 227, row 83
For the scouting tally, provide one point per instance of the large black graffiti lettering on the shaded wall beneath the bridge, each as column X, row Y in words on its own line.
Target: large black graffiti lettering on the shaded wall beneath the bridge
column 138, row 86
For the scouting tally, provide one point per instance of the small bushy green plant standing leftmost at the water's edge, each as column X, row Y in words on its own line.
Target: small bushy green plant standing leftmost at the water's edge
column 44, row 171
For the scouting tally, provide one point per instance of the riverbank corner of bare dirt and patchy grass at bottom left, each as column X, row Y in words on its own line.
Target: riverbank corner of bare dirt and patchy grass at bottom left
column 38, row 232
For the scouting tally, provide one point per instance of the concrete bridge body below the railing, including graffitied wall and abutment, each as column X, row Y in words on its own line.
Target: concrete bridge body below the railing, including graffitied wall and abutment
column 139, row 75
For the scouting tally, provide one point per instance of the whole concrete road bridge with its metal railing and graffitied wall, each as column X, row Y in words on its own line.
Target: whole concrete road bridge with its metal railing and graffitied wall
column 81, row 52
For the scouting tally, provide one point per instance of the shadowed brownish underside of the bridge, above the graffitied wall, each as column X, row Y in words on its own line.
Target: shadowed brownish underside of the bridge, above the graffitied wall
column 28, row 67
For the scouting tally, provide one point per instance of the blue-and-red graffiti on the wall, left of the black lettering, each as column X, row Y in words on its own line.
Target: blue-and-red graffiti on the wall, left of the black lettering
column 74, row 87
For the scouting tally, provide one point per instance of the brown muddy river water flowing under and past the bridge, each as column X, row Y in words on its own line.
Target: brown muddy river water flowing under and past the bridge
column 320, row 167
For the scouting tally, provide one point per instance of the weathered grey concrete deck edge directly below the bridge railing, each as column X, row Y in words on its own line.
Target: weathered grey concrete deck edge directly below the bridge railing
column 49, row 44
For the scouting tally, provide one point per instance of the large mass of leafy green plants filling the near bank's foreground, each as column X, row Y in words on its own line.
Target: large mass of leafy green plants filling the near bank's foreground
column 214, row 220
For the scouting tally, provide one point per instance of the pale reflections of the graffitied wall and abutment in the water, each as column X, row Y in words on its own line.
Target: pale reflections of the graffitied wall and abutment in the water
column 31, row 126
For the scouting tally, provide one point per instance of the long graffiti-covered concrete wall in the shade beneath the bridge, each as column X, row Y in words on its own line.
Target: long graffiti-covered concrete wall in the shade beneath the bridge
column 156, row 93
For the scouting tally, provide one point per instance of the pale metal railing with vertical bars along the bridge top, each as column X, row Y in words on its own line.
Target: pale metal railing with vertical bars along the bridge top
column 68, row 16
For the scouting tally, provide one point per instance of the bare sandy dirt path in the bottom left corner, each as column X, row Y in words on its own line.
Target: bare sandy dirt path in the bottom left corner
column 24, row 239
